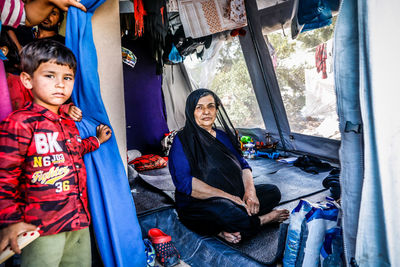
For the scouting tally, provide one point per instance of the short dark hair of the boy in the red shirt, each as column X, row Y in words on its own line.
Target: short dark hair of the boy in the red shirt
column 42, row 51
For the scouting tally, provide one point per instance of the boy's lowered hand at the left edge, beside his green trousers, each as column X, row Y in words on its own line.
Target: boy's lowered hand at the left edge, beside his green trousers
column 8, row 235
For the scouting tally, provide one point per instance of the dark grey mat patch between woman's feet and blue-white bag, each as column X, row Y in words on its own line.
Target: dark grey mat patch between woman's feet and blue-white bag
column 267, row 247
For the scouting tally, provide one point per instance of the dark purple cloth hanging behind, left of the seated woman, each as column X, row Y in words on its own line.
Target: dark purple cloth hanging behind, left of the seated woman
column 145, row 118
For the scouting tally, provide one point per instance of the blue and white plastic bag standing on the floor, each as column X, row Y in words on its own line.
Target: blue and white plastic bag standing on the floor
column 313, row 228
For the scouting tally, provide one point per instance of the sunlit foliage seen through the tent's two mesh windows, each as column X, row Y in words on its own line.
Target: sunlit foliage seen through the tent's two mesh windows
column 232, row 81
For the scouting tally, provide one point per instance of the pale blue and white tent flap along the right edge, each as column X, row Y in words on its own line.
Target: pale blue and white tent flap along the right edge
column 366, row 77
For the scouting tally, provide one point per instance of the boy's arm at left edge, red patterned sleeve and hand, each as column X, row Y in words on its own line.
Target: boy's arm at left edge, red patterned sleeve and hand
column 14, row 141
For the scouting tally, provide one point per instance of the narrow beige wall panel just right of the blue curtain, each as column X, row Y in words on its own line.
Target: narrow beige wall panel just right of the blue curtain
column 107, row 39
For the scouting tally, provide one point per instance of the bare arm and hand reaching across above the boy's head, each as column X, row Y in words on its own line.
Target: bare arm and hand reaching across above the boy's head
column 38, row 10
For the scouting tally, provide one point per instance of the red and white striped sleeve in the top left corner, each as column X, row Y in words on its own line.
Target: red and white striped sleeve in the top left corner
column 12, row 12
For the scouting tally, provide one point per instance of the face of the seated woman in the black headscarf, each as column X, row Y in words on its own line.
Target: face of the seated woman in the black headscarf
column 205, row 112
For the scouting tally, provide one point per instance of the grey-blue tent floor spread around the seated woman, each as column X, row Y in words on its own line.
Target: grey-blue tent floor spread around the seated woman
column 153, row 195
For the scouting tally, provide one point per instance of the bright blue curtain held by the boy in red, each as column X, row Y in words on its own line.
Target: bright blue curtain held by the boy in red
column 116, row 227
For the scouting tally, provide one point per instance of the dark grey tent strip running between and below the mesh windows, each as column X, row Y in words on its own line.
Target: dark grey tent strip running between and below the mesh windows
column 268, row 93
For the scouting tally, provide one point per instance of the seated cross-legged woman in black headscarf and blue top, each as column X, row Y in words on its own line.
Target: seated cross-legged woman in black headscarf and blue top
column 215, row 192
